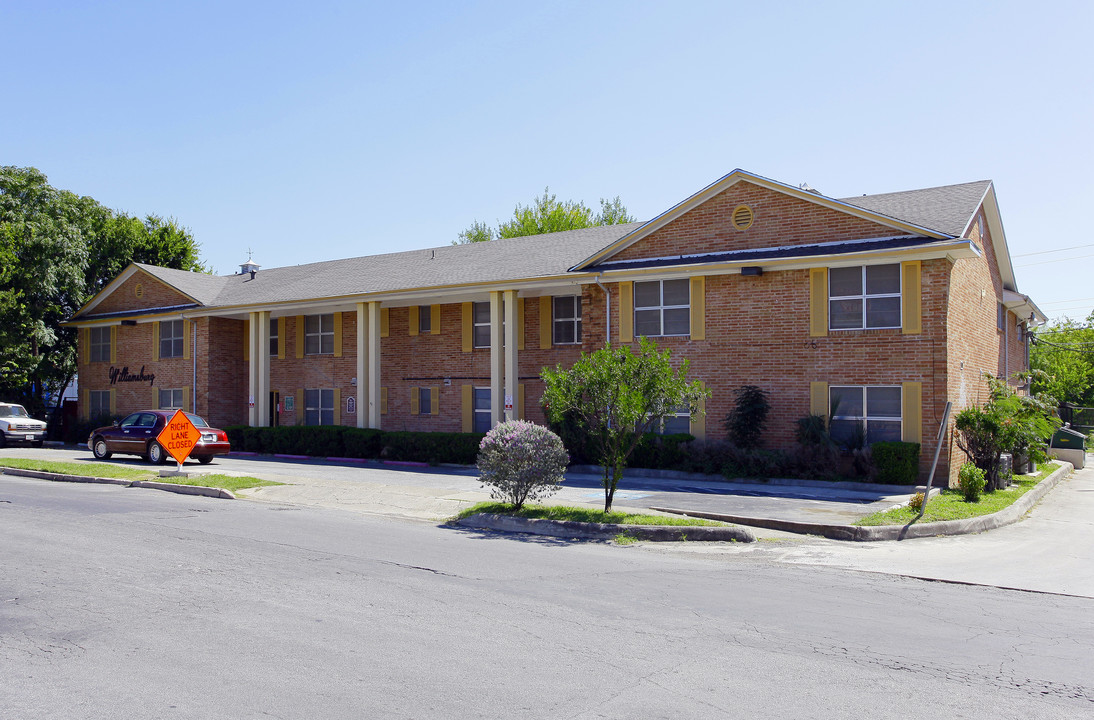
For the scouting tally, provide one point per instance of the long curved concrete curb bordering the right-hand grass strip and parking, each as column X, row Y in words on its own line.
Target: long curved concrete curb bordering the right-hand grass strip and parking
column 967, row 527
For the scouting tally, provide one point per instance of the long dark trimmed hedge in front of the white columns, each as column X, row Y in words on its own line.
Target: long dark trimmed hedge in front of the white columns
column 341, row 442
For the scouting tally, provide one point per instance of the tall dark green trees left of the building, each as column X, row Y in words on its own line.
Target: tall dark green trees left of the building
column 57, row 250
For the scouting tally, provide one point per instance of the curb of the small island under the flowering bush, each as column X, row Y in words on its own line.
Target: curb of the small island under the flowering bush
column 604, row 531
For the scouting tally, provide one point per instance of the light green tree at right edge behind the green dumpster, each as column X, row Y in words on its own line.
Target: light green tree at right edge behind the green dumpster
column 1065, row 354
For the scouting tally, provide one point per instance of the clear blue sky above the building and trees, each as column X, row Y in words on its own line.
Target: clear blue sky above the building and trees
column 311, row 132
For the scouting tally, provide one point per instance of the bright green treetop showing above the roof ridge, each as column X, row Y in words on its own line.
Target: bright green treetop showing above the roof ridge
column 548, row 214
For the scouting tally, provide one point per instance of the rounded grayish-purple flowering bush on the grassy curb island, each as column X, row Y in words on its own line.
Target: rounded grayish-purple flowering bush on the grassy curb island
column 521, row 462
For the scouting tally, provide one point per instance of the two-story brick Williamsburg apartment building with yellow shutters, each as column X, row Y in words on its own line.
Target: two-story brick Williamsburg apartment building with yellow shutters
column 875, row 310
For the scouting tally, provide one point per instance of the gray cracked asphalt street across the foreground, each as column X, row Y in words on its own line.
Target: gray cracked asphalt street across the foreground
column 131, row 603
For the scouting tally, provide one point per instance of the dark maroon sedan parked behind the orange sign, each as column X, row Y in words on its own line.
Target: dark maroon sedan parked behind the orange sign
column 136, row 435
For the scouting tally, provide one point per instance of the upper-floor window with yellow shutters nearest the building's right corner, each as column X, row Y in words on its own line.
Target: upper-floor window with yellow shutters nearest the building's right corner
column 864, row 298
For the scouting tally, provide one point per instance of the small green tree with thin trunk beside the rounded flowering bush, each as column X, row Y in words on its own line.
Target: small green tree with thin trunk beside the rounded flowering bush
column 616, row 397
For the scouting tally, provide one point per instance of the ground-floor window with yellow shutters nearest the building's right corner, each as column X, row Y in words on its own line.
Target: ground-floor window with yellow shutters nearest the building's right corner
column 865, row 414
